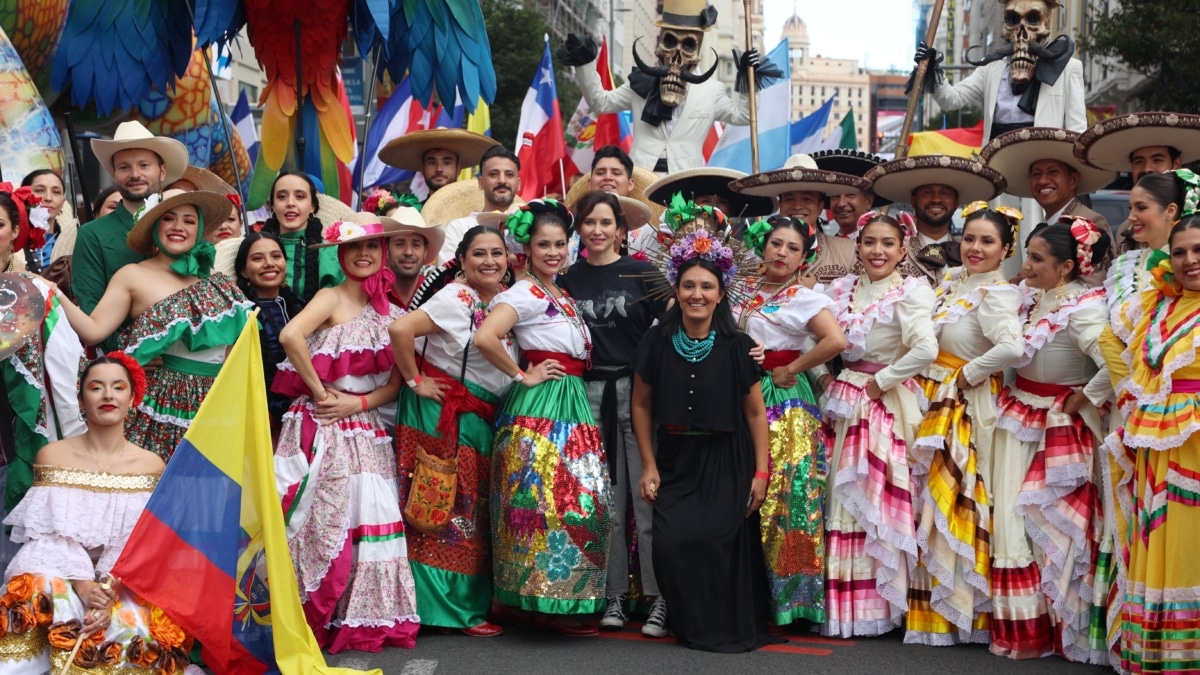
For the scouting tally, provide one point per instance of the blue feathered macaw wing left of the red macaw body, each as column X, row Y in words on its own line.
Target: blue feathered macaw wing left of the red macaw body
column 116, row 52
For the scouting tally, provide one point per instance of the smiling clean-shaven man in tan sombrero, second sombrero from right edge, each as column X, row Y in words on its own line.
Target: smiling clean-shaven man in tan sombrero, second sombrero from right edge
column 1041, row 165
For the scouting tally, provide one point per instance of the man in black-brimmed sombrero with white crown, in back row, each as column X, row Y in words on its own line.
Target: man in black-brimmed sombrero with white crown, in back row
column 802, row 189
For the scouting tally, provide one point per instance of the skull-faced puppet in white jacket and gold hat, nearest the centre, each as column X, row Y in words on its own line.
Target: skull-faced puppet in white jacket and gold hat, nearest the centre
column 674, row 104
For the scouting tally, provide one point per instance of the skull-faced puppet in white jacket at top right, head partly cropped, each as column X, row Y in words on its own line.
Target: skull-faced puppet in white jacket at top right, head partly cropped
column 1031, row 81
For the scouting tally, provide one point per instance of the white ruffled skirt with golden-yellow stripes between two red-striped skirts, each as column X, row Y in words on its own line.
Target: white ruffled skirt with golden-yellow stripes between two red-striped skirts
column 950, row 594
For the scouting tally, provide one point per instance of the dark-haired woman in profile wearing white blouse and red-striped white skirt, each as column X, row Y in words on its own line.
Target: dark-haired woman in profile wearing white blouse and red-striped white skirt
column 1047, row 521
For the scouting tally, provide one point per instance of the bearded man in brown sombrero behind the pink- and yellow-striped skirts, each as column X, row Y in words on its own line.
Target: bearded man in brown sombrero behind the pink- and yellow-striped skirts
column 935, row 187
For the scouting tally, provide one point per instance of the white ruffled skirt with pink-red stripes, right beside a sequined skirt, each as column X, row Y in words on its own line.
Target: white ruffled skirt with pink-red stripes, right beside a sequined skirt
column 869, row 518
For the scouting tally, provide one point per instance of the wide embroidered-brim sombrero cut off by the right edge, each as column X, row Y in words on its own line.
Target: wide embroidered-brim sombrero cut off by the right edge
column 1109, row 144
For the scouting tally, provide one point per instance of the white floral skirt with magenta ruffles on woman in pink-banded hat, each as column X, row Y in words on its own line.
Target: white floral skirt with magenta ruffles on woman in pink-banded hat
column 346, row 534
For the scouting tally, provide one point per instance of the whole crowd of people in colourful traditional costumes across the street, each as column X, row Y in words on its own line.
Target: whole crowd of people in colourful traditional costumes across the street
column 675, row 397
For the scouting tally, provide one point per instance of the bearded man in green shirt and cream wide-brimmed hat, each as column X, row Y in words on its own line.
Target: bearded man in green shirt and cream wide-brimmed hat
column 141, row 165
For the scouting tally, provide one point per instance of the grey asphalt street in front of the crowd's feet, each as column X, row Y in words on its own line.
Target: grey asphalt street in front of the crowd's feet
column 527, row 652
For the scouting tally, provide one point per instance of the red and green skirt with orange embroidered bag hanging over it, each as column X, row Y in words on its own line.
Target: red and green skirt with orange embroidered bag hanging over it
column 453, row 570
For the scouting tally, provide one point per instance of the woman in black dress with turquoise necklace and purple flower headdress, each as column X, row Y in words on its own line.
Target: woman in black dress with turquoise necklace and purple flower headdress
column 700, row 393
